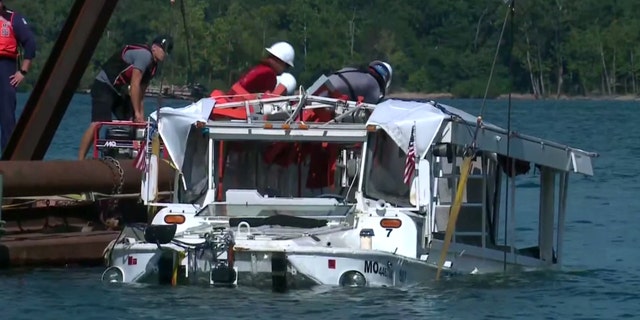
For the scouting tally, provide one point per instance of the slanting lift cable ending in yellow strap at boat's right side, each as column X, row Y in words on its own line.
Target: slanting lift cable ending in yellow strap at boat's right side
column 465, row 169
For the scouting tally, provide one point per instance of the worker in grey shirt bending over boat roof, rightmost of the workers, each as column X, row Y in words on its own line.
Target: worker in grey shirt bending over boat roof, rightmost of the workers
column 368, row 85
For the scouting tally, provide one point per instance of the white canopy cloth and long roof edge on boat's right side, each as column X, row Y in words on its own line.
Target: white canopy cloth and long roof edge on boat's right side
column 397, row 117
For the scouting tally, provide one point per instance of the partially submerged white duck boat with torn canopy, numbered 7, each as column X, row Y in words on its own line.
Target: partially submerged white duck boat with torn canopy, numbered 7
column 306, row 190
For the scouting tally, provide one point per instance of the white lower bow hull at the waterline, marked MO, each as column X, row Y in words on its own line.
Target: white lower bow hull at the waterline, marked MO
column 141, row 263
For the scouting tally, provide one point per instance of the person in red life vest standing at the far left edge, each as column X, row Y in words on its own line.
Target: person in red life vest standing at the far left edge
column 14, row 33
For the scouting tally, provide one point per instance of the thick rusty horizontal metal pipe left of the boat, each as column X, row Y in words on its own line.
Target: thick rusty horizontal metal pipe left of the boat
column 43, row 178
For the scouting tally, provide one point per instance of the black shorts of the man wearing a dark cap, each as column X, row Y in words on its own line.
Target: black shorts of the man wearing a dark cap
column 106, row 103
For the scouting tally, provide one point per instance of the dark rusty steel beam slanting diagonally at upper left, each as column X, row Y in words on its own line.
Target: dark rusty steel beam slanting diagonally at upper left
column 59, row 79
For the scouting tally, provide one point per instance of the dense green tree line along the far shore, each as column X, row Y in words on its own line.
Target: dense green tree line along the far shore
column 550, row 47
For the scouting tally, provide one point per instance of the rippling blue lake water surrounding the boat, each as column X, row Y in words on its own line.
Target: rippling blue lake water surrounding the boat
column 600, row 278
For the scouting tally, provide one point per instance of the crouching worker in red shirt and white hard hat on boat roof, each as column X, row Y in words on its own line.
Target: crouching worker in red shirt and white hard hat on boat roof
column 261, row 79
